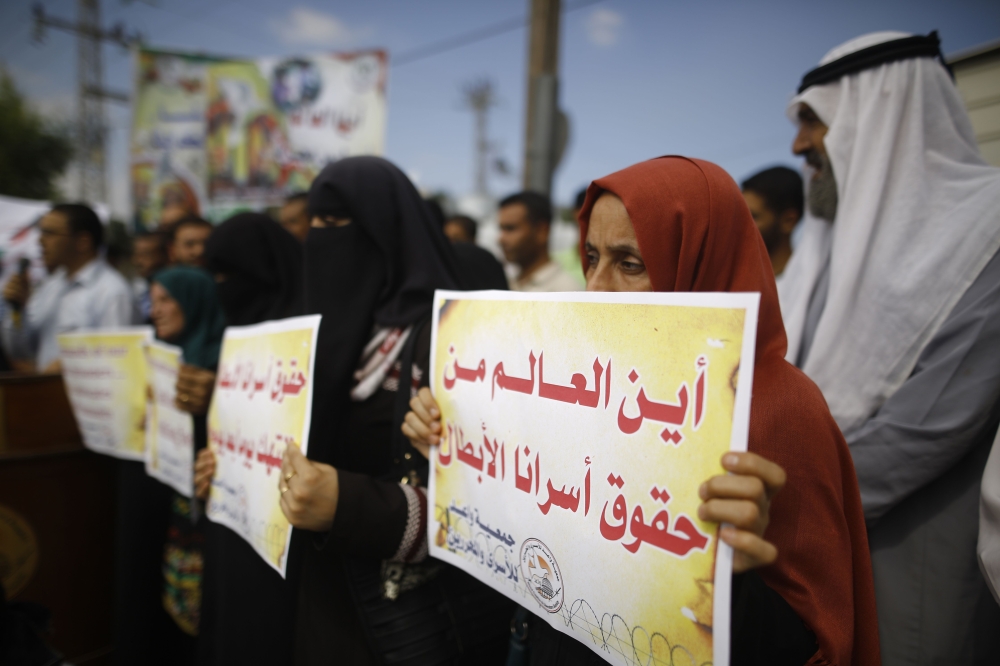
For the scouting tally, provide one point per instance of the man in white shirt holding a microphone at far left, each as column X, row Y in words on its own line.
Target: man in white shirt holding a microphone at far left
column 81, row 291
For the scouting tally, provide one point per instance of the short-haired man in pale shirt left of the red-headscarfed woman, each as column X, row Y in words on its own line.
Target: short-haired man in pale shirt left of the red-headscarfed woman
column 525, row 221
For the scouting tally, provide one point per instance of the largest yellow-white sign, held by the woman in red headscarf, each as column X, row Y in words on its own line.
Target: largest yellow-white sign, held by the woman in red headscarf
column 577, row 429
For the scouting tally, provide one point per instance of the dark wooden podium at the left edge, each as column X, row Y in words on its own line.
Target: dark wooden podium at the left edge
column 65, row 495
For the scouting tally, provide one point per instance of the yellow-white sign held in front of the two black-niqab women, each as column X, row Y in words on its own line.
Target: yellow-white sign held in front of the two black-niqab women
column 262, row 403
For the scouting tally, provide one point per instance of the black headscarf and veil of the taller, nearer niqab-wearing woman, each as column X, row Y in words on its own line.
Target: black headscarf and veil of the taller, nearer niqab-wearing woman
column 381, row 269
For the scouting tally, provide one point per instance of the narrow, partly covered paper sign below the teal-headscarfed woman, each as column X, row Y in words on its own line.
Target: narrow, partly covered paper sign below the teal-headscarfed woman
column 169, row 431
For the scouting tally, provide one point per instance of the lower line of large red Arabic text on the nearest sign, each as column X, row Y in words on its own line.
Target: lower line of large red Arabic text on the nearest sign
column 678, row 539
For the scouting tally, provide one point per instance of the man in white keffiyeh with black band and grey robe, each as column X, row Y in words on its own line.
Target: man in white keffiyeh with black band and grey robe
column 892, row 306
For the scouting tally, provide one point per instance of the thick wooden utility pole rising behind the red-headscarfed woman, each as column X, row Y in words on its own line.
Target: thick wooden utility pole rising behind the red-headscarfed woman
column 547, row 129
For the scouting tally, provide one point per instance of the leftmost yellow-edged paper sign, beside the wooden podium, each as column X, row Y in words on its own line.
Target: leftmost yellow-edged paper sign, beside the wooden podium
column 105, row 376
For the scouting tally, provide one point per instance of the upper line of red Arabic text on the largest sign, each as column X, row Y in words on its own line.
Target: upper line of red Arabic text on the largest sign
column 673, row 414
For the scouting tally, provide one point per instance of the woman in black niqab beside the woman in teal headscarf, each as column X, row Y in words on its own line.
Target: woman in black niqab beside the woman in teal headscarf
column 247, row 614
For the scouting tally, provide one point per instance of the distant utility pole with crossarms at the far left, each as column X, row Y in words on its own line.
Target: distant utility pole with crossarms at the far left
column 90, row 124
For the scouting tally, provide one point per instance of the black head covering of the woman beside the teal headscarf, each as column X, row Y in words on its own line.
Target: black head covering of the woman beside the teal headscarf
column 262, row 264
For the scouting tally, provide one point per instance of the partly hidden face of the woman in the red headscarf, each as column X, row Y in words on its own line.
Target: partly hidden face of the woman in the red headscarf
column 615, row 263
